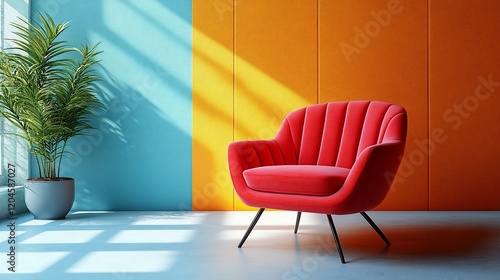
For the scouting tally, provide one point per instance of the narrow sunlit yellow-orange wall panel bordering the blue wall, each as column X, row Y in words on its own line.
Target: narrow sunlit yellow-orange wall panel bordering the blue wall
column 212, row 104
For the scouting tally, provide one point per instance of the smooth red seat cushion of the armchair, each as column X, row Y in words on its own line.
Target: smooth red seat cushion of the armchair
column 313, row 180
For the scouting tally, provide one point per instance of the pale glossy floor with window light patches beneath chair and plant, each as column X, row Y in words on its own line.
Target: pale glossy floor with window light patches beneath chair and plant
column 203, row 245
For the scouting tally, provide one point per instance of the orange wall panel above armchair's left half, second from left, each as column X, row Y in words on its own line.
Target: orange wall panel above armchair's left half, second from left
column 275, row 65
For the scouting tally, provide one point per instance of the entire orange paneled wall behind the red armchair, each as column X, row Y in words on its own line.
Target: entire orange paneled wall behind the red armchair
column 255, row 61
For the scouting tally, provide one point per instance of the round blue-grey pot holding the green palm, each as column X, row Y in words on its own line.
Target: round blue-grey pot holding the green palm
column 50, row 200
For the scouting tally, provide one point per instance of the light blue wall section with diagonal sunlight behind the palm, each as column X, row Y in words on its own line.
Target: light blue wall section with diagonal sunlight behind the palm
column 140, row 158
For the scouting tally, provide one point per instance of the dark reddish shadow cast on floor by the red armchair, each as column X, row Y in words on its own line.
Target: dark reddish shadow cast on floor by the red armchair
column 410, row 243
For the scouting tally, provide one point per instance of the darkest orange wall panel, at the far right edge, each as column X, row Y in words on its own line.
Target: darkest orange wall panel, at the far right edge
column 464, row 104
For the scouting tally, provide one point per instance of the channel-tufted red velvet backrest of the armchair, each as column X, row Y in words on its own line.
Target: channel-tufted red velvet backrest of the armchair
column 335, row 133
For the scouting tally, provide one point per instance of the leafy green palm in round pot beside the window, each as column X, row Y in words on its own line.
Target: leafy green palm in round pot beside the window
column 47, row 91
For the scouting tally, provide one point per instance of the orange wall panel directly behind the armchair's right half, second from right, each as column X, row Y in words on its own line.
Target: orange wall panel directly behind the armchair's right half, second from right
column 377, row 50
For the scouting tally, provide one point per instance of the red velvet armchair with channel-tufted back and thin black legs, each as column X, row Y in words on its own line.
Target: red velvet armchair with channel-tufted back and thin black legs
column 333, row 158
